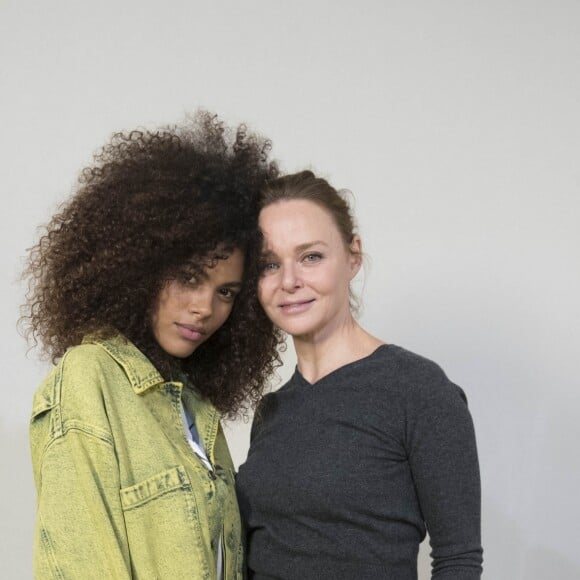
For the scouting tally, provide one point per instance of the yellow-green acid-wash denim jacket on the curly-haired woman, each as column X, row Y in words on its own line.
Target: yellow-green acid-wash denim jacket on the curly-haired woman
column 121, row 494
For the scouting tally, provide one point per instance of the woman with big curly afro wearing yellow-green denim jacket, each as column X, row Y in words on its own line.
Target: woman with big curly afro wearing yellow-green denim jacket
column 142, row 290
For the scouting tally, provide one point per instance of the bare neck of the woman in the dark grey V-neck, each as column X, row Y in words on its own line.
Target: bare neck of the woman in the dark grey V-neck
column 320, row 355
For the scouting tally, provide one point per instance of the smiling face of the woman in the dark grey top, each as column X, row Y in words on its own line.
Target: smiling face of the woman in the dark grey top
column 304, row 287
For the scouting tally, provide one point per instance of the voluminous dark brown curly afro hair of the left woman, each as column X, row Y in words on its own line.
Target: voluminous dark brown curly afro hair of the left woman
column 152, row 202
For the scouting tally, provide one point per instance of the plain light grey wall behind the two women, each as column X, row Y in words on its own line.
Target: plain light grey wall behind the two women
column 456, row 125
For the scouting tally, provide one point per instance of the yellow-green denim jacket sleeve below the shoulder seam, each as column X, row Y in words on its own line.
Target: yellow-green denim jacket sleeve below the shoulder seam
column 89, row 534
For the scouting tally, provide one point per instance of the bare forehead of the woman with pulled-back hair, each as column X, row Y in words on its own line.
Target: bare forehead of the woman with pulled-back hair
column 296, row 222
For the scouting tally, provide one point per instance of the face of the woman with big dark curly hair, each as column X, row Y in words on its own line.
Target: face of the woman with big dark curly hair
column 190, row 309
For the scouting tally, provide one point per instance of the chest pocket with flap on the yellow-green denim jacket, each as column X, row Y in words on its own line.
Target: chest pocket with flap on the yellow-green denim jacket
column 161, row 518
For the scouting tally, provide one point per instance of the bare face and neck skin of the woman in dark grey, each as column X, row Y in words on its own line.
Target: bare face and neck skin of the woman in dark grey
column 304, row 288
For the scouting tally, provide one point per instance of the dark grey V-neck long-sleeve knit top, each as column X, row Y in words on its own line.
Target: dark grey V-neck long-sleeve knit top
column 344, row 476
